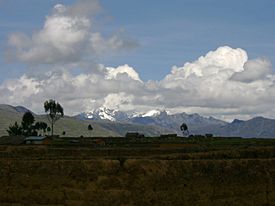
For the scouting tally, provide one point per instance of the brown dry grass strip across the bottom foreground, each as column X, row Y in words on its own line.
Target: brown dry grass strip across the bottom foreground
column 138, row 182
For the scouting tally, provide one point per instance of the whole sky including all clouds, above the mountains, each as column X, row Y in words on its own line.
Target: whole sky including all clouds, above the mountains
column 197, row 56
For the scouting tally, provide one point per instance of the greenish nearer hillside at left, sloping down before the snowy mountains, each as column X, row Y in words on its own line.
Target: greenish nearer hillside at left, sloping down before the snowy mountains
column 77, row 127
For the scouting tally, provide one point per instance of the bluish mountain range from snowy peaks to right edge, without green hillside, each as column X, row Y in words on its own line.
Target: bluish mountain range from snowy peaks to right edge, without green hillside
column 197, row 124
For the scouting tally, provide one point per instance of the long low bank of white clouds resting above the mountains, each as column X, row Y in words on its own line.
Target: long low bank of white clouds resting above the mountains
column 223, row 83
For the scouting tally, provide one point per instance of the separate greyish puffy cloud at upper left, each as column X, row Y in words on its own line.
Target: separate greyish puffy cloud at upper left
column 68, row 35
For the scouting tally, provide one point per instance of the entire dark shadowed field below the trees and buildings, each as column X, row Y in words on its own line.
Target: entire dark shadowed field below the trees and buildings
column 146, row 171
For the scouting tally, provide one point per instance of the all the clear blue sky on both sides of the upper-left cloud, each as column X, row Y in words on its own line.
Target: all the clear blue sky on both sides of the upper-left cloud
column 168, row 33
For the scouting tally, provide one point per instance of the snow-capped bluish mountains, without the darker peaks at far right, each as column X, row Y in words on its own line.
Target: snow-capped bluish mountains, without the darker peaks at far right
column 195, row 122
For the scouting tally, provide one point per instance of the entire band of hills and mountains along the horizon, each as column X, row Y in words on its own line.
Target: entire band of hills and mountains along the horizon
column 158, row 122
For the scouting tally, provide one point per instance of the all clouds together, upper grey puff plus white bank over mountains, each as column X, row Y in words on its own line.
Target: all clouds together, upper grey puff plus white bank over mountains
column 224, row 83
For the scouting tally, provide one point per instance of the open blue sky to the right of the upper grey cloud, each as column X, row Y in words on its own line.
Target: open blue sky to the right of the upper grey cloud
column 178, row 31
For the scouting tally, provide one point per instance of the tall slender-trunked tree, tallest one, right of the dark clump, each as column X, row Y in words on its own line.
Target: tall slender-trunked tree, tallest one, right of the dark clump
column 54, row 112
